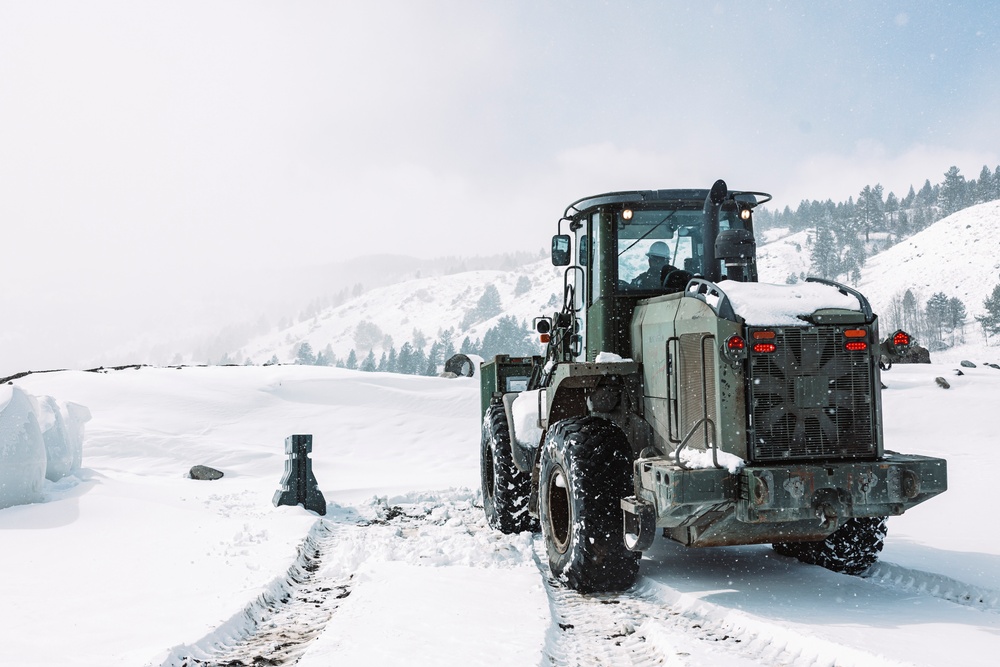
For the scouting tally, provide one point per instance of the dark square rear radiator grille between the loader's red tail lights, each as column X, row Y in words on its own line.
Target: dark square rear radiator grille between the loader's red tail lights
column 811, row 398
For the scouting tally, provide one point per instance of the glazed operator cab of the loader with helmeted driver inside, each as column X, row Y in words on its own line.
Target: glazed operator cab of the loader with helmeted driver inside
column 626, row 246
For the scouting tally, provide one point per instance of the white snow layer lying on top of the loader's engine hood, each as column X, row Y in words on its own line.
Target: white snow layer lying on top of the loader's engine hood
column 764, row 304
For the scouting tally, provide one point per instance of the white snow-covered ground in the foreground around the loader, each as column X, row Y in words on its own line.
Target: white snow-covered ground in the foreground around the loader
column 128, row 561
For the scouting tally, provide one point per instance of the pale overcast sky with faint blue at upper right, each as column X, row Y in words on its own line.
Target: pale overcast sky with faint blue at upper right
column 151, row 152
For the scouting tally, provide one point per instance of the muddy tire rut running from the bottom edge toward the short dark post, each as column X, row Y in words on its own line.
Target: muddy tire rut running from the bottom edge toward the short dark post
column 277, row 627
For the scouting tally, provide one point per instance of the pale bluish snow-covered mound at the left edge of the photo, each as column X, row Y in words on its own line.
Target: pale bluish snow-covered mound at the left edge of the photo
column 37, row 442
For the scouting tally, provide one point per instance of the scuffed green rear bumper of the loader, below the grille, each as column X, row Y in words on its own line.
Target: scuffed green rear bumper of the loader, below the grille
column 670, row 497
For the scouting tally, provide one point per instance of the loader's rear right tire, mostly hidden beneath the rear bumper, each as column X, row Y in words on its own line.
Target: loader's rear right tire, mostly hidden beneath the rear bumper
column 851, row 549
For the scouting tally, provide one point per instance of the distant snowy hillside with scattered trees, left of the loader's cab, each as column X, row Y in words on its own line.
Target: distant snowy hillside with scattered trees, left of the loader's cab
column 427, row 305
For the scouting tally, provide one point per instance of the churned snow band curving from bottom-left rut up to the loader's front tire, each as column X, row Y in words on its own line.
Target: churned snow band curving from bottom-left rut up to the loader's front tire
column 278, row 627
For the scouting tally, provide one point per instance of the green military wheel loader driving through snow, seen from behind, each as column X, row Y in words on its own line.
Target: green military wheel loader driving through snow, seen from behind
column 678, row 393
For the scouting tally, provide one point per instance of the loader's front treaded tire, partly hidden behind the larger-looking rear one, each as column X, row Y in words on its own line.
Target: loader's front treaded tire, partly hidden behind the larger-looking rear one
column 505, row 488
